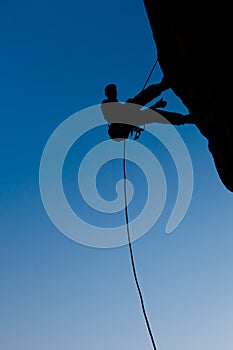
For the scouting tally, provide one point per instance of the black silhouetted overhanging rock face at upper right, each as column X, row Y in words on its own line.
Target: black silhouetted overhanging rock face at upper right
column 194, row 50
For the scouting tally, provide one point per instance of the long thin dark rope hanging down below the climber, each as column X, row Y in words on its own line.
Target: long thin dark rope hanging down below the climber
column 131, row 252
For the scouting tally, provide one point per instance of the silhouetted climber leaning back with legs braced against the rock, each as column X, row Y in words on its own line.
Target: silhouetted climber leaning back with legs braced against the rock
column 126, row 118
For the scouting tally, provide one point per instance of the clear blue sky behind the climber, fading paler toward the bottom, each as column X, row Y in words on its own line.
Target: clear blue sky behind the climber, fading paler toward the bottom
column 56, row 57
